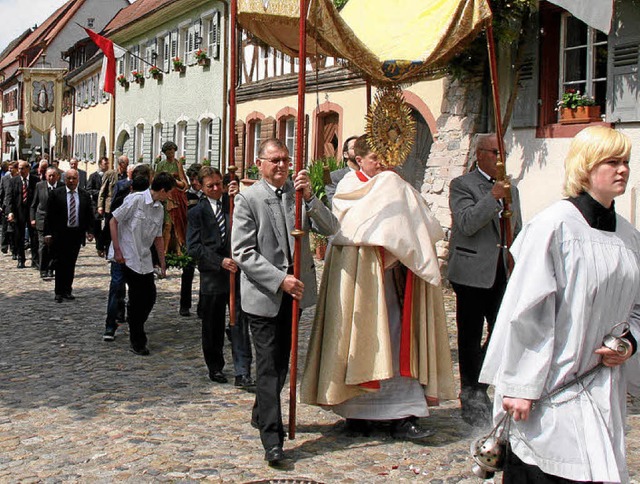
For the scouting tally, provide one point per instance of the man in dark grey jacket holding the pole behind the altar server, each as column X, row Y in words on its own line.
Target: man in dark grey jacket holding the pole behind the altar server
column 478, row 268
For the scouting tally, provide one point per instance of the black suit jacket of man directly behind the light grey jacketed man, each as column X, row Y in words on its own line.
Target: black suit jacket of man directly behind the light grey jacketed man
column 204, row 243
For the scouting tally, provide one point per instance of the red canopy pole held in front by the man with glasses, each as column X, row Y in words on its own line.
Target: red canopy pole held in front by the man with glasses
column 298, row 232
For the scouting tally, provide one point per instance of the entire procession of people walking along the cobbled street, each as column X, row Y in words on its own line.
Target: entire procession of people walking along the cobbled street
column 379, row 352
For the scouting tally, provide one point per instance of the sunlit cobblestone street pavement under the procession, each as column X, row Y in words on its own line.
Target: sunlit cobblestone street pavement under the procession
column 76, row 409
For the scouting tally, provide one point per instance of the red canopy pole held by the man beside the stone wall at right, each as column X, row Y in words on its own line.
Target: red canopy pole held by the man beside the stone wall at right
column 505, row 220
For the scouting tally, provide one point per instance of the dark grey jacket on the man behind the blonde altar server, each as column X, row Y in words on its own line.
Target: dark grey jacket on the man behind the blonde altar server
column 475, row 234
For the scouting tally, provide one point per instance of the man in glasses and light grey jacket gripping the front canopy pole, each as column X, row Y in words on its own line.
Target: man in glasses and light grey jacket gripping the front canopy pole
column 262, row 246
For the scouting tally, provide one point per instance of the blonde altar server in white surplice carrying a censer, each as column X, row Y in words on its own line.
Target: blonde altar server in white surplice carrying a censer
column 575, row 279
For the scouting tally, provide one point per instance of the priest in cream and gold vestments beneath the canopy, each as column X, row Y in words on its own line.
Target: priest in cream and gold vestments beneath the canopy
column 379, row 345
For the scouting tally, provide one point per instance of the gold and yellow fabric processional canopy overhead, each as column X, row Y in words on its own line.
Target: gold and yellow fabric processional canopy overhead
column 386, row 41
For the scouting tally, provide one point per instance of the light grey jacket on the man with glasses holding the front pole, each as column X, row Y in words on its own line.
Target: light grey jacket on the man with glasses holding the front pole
column 259, row 245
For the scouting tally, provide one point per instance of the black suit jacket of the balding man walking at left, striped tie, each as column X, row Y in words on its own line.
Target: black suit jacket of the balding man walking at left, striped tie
column 55, row 221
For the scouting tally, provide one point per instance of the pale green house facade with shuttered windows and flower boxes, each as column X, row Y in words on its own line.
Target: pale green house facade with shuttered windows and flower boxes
column 172, row 83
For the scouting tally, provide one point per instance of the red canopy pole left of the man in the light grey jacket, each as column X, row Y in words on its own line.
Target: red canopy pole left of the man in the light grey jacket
column 233, row 62
